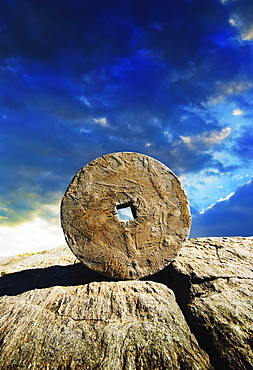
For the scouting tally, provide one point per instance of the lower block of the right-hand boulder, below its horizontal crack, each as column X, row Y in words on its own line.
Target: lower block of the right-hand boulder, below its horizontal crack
column 223, row 308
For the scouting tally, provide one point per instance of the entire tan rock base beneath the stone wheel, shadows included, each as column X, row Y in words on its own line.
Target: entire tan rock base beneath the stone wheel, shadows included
column 195, row 314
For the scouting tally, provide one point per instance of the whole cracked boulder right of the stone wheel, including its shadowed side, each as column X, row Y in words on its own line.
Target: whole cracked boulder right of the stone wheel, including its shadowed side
column 213, row 282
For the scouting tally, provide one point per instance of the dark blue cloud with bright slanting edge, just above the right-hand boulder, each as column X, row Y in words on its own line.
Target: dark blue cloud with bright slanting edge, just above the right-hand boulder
column 230, row 216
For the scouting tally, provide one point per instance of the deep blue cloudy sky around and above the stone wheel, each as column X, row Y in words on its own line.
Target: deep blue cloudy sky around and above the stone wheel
column 83, row 78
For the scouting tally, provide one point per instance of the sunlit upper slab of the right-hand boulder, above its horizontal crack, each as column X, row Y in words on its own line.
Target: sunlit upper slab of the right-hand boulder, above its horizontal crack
column 209, row 258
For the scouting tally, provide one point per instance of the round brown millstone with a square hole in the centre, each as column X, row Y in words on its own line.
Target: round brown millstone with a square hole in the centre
column 125, row 182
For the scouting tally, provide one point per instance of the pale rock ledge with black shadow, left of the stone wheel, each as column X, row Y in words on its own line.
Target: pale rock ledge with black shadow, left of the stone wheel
column 57, row 266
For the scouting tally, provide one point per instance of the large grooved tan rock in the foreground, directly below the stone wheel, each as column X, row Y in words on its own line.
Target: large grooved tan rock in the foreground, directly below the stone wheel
column 106, row 325
